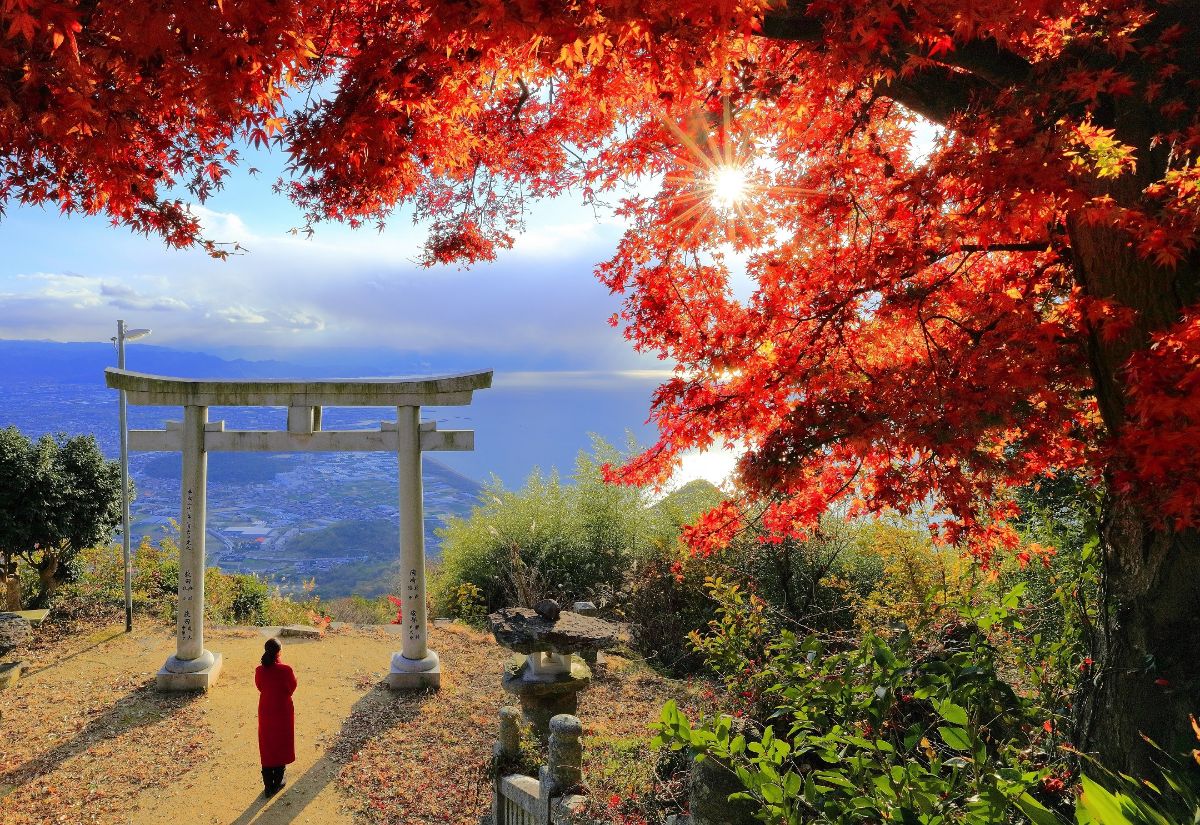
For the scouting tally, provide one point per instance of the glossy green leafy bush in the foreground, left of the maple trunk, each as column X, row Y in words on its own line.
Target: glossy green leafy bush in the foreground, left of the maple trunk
column 909, row 728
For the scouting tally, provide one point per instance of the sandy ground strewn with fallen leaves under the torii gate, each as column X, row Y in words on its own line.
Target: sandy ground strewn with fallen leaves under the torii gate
column 86, row 738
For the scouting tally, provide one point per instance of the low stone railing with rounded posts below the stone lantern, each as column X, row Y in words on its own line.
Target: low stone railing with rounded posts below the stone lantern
column 549, row 799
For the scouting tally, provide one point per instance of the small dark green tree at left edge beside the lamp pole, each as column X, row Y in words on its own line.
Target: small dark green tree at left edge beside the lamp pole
column 58, row 496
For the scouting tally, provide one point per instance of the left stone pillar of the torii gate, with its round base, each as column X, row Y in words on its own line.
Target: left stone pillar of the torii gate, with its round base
column 193, row 667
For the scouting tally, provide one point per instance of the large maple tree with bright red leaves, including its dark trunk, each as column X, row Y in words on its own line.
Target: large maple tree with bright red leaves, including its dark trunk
column 1018, row 300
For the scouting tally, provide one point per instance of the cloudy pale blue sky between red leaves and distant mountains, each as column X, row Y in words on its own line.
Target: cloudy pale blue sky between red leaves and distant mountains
column 539, row 304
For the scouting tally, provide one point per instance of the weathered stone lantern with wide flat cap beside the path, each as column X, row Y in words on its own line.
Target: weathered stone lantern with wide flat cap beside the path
column 548, row 675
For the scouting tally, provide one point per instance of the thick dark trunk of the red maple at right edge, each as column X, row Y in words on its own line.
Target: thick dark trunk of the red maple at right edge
column 1148, row 651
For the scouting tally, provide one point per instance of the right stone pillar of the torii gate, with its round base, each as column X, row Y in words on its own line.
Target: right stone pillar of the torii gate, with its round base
column 416, row 666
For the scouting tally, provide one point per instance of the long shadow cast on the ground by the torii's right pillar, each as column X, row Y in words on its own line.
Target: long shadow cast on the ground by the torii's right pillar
column 371, row 716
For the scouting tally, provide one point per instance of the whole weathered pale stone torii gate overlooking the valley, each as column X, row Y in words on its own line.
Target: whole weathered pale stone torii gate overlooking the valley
column 193, row 667
